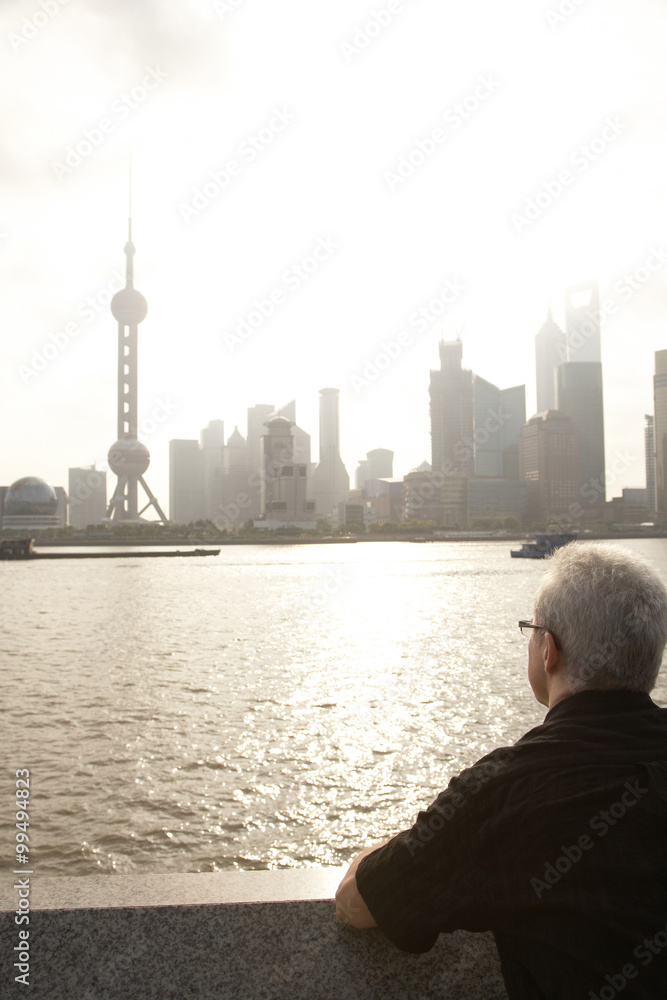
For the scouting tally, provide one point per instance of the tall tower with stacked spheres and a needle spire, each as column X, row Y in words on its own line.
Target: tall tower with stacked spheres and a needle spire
column 128, row 457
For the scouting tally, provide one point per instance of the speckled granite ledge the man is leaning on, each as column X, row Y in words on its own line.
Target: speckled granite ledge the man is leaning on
column 240, row 935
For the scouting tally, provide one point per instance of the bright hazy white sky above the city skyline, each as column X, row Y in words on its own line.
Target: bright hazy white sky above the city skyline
column 372, row 160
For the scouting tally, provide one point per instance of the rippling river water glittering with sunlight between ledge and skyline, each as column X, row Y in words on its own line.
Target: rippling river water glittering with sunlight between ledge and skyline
column 276, row 706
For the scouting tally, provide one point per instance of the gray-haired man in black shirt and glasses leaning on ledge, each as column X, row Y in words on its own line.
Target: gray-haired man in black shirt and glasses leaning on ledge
column 558, row 844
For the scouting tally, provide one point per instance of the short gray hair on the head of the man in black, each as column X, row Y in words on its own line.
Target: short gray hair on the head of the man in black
column 608, row 610
